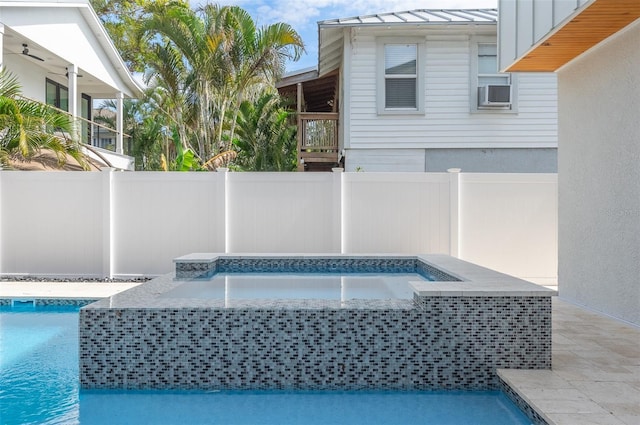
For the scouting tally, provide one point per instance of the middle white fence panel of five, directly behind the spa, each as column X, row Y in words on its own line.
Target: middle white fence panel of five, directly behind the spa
column 283, row 213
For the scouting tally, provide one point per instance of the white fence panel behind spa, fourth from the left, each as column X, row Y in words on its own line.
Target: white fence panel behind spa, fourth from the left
column 404, row 213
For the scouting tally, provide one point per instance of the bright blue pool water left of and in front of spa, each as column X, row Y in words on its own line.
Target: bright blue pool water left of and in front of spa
column 39, row 385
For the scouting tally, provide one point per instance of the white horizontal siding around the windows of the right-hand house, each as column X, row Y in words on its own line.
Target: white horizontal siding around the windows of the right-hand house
column 448, row 121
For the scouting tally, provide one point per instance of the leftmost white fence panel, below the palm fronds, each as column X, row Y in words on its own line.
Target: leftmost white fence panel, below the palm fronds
column 51, row 223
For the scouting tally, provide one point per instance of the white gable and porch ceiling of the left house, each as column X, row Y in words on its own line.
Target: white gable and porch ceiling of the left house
column 61, row 33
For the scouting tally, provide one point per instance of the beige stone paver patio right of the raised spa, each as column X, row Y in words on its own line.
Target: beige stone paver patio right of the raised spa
column 595, row 377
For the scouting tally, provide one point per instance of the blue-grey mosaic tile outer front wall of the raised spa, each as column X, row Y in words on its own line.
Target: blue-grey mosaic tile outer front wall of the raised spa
column 442, row 343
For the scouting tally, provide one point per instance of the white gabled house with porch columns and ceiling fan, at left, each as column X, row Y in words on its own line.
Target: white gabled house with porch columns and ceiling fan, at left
column 62, row 56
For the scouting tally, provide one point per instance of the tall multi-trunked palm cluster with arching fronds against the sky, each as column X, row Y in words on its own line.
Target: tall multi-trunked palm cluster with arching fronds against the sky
column 223, row 56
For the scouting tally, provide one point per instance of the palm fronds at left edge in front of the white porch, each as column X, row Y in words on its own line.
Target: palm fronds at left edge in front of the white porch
column 27, row 127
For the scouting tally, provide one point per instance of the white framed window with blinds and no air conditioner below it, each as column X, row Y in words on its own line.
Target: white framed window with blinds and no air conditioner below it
column 400, row 86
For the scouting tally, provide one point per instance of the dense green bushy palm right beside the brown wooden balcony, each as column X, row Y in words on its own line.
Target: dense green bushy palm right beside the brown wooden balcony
column 266, row 140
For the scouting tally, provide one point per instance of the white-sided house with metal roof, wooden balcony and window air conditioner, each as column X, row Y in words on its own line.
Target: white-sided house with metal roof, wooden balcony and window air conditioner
column 420, row 91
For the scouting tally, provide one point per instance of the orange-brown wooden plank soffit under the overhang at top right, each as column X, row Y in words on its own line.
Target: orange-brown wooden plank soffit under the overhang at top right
column 595, row 23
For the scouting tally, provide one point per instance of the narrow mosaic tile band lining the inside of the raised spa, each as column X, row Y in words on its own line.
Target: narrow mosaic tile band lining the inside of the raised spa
column 310, row 265
